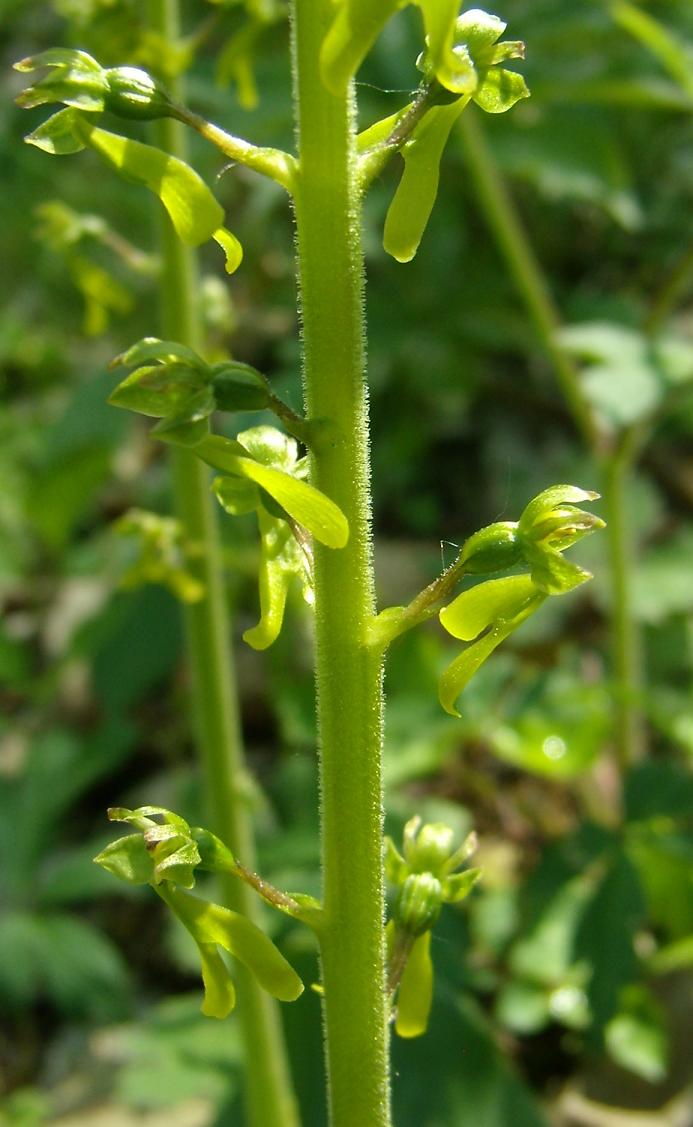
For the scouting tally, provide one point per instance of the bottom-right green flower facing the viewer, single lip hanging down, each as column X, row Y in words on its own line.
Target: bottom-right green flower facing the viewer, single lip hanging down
column 425, row 878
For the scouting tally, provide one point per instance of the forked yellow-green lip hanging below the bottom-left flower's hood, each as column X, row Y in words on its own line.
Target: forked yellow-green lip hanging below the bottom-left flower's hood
column 214, row 926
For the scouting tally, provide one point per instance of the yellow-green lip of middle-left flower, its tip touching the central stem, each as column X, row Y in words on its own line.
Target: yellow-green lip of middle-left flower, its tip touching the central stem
column 301, row 501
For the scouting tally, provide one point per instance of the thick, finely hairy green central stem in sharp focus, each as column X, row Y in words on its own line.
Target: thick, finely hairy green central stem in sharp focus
column 349, row 672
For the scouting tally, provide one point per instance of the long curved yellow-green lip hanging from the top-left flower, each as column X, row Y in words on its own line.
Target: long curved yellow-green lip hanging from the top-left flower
column 194, row 211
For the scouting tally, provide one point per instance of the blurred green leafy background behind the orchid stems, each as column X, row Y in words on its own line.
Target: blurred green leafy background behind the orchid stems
column 565, row 988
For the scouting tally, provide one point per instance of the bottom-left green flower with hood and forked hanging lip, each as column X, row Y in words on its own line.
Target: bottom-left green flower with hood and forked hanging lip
column 165, row 853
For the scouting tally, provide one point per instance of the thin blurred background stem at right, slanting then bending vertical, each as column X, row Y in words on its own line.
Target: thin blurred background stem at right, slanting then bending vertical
column 614, row 464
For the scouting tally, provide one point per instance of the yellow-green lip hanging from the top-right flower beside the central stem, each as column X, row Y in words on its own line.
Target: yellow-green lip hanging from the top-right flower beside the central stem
column 416, row 193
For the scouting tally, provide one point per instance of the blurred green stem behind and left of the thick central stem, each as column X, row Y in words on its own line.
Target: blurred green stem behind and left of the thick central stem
column 270, row 1097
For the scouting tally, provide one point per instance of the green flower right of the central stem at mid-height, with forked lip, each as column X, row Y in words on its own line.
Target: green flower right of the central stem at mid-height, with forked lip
column 488, row 614
